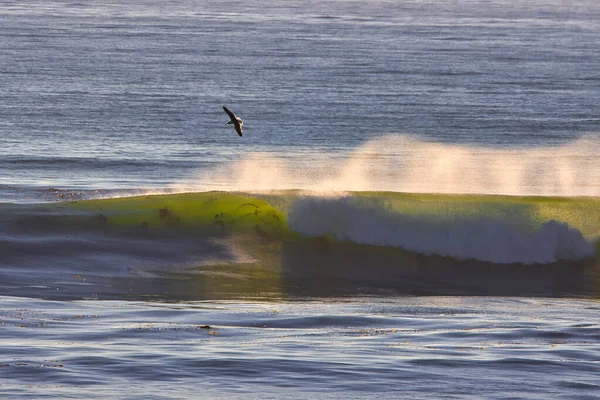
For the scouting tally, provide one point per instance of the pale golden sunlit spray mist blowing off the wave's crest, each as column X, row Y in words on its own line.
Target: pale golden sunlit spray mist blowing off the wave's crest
column 403, row 163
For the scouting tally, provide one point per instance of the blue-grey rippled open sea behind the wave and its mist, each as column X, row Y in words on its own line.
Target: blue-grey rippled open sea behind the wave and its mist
column 129, row 94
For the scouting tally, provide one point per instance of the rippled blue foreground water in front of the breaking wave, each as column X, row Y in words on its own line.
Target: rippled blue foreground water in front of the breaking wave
column 444, row 347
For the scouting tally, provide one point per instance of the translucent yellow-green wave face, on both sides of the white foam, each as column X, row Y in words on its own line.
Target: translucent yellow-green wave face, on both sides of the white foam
column 267, row 214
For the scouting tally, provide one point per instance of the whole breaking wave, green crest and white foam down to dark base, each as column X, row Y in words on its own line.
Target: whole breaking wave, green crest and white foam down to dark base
column 222, row 245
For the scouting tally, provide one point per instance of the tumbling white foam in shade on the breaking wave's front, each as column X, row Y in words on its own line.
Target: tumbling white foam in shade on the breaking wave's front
column 482, row 239
